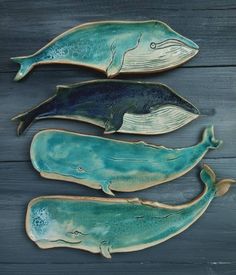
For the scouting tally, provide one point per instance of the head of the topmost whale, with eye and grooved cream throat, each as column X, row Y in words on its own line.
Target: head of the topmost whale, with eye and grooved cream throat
column 159, row 48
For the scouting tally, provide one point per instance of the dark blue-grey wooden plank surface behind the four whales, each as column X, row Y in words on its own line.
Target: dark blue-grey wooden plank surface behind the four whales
column 208, row 81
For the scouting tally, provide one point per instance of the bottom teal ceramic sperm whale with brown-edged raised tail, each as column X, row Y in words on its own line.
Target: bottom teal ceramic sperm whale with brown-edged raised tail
column 106, row 226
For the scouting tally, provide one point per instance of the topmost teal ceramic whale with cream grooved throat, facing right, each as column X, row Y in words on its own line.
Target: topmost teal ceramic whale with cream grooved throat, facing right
column 115, row 47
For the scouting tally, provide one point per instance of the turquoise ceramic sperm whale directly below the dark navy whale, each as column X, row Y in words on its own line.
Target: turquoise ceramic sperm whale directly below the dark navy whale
column 107, row 164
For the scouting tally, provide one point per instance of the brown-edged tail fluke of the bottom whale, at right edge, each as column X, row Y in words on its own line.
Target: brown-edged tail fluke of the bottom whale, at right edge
column 209, row 178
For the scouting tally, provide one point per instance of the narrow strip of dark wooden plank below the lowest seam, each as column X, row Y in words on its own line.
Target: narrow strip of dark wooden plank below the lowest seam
column 127, row 268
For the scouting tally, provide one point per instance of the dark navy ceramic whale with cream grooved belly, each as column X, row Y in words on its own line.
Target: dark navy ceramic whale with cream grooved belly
column 124, row 106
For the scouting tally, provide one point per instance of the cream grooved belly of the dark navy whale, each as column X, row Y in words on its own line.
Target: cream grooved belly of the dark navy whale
column 162, row 120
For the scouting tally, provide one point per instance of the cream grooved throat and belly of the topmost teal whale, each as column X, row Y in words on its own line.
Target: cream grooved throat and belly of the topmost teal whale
column 169, row 54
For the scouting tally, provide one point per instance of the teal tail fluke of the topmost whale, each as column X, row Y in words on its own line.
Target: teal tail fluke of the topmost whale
column 26, row 64
